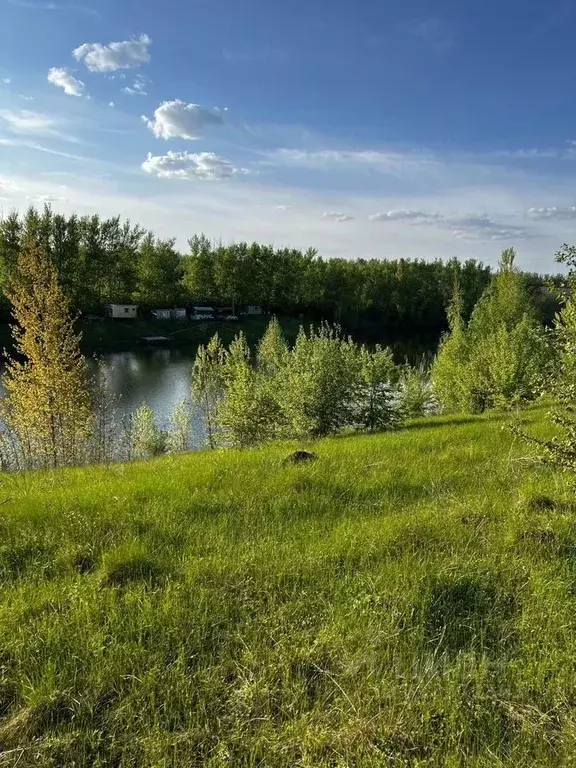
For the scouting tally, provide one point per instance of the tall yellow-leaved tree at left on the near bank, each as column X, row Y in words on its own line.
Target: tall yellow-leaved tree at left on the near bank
column 47, row 407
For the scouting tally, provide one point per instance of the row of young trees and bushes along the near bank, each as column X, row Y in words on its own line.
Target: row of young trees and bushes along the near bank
column 502, row 357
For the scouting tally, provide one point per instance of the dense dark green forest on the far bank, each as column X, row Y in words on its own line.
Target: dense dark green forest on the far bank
column 101, row 261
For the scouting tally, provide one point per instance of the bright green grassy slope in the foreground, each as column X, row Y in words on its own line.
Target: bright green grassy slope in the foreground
column 407, row 599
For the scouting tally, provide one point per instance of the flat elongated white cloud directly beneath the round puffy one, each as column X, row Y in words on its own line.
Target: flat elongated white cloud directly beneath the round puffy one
column 205, row 166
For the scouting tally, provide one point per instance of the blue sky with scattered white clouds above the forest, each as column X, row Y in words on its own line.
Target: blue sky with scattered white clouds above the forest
column 372, row 129
